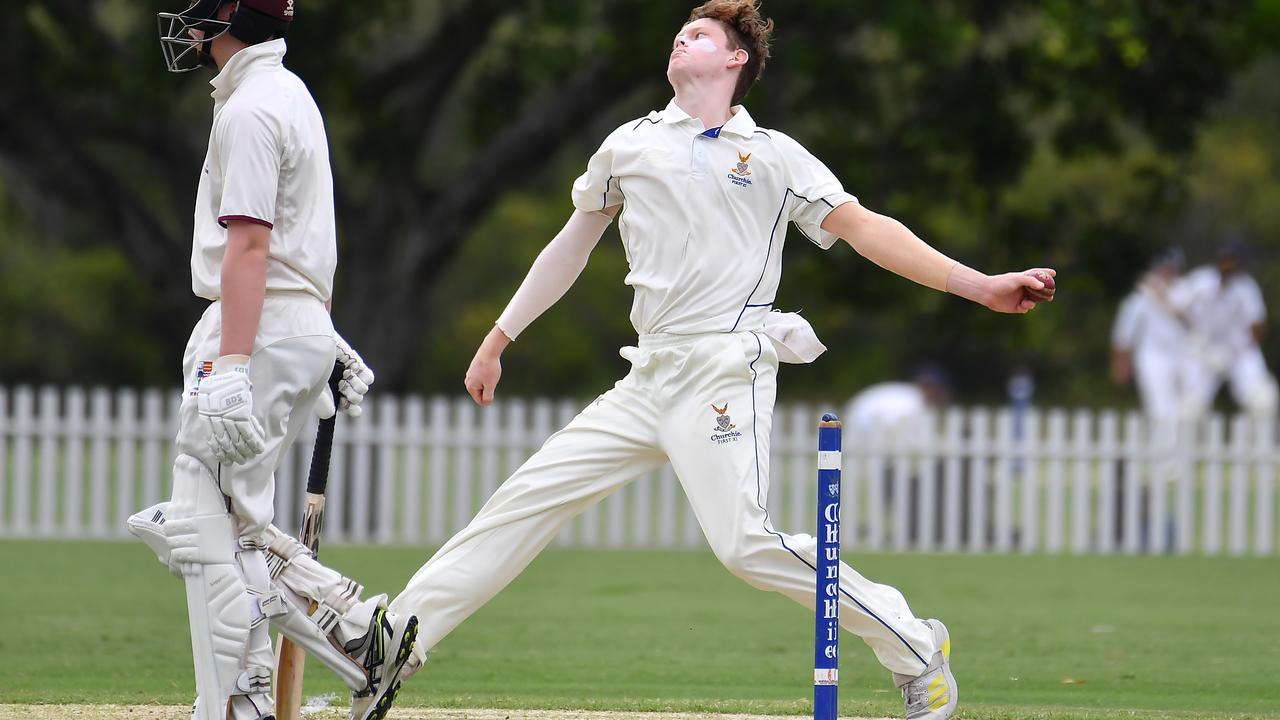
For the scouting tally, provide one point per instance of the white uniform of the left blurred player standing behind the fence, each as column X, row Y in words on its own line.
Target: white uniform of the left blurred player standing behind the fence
column 1148, row 326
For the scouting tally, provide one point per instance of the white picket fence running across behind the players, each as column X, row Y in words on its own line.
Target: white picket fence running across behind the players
column 76, row 463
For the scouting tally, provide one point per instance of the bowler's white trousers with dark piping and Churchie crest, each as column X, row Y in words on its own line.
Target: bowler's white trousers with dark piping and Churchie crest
column 662, row 411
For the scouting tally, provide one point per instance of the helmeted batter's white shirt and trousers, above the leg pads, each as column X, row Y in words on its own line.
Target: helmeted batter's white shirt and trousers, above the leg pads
column 268, row 163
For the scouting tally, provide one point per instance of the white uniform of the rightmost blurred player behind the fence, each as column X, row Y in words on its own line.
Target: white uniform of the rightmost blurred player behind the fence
column 1223, row 317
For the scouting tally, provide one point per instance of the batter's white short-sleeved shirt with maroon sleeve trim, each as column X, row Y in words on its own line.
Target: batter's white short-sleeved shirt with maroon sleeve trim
column 268, row 163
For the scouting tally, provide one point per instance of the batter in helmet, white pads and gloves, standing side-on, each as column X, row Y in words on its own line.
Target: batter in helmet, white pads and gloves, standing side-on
column 264, row 256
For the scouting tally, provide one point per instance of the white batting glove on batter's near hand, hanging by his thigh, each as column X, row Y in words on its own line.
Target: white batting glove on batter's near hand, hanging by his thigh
column 227, row 402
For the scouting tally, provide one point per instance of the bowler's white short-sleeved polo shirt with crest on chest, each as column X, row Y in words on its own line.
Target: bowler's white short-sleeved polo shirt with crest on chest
column 705, row 216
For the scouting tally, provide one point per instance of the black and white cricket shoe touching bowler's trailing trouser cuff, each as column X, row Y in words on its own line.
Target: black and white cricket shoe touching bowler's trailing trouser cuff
column 383, row 651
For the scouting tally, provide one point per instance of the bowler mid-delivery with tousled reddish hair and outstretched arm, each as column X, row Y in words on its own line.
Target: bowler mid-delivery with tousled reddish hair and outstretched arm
column 706, row 195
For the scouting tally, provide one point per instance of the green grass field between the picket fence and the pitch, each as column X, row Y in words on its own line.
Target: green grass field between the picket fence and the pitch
column 1034, row 636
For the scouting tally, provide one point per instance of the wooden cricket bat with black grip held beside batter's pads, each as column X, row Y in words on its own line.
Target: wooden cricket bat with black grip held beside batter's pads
column 291, row 658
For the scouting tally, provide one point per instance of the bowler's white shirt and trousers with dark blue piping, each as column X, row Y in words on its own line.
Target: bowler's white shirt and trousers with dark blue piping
column 703, row 224
